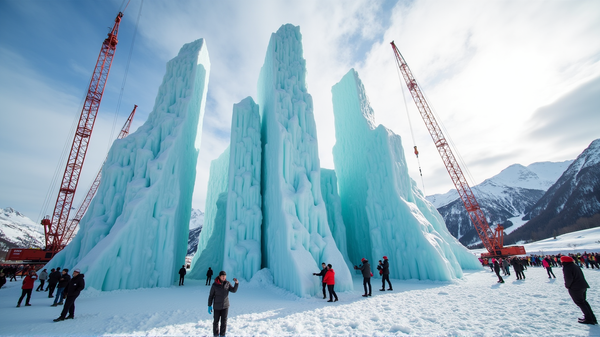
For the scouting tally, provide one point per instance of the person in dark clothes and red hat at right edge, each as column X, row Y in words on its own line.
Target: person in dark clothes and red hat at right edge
column 577, row 285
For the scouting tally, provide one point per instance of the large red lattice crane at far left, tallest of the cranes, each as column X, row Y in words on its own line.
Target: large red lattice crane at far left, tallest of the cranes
column 56, row 227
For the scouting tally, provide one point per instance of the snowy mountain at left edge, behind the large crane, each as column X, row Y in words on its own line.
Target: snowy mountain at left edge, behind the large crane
column 17, row 230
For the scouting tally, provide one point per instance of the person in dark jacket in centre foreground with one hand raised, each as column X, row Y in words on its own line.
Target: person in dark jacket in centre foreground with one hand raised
column 219, row 295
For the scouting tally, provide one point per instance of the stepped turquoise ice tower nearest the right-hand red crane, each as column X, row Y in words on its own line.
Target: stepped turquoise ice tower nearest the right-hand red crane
column 384, row 211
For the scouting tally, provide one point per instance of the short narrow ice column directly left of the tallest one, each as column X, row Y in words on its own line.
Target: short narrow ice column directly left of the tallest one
column 242, row 257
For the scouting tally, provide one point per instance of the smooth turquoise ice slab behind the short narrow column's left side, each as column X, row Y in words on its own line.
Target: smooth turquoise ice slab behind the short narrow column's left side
column 210, row 243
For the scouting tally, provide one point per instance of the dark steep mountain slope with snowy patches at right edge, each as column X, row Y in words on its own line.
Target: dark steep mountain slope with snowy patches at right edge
column 575, row 196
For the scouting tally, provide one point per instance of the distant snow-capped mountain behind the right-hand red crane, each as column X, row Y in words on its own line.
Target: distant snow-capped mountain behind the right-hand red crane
column 504, row 198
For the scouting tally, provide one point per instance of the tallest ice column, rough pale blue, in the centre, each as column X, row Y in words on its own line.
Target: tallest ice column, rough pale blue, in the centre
column 296, row 236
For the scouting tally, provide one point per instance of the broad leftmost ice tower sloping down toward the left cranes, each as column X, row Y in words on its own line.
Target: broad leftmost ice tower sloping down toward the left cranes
column 134, row 234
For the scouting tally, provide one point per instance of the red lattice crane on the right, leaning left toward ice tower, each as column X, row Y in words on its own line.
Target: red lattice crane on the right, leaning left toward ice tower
column 493, row 242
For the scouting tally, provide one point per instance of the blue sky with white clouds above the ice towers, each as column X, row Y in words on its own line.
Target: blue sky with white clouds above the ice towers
column 510, row 81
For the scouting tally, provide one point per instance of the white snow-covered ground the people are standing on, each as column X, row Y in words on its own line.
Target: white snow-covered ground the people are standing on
column 475, row 305
